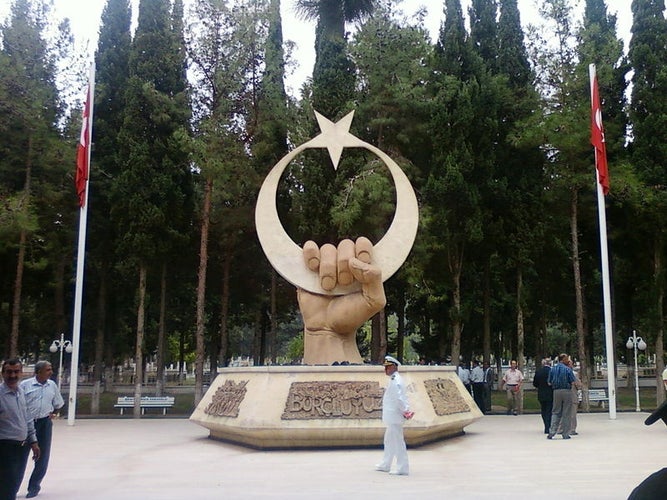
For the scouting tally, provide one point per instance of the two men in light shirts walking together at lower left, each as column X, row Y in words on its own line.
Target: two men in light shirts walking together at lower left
column 26, row 411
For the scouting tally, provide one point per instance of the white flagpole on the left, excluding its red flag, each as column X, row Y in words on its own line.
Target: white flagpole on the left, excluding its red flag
column 80, row 261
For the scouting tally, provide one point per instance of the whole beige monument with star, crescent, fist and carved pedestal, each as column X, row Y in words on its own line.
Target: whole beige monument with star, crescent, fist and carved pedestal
column 338, row 289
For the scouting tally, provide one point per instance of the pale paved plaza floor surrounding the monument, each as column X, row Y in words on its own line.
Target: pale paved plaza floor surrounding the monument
column 499, row 457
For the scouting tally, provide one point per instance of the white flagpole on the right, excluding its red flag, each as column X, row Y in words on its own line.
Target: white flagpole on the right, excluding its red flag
column 606, row 289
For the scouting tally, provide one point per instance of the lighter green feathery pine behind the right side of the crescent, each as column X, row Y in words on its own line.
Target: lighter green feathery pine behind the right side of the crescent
column 391, row 56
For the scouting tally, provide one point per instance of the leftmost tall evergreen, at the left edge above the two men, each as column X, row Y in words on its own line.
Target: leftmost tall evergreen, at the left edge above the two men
column 29, row 161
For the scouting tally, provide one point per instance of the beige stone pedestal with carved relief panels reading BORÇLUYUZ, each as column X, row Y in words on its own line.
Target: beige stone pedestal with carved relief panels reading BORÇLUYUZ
column 279, row 407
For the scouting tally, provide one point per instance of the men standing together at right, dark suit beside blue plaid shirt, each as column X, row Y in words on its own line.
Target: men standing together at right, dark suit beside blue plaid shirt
column 558, row 393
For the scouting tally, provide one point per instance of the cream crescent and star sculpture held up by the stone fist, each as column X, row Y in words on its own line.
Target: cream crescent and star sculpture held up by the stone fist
column 286, row 256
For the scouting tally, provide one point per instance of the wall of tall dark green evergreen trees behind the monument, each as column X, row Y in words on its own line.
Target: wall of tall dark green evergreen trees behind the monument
column 493, row 132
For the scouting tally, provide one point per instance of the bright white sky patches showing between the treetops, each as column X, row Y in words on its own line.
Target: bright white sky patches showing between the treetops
column 85, row 20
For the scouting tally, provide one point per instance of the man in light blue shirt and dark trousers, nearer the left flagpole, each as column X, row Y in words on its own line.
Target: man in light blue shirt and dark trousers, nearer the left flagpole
column 44, row 400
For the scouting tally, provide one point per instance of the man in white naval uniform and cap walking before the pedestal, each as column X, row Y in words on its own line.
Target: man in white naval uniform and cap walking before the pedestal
column 395, row 410
